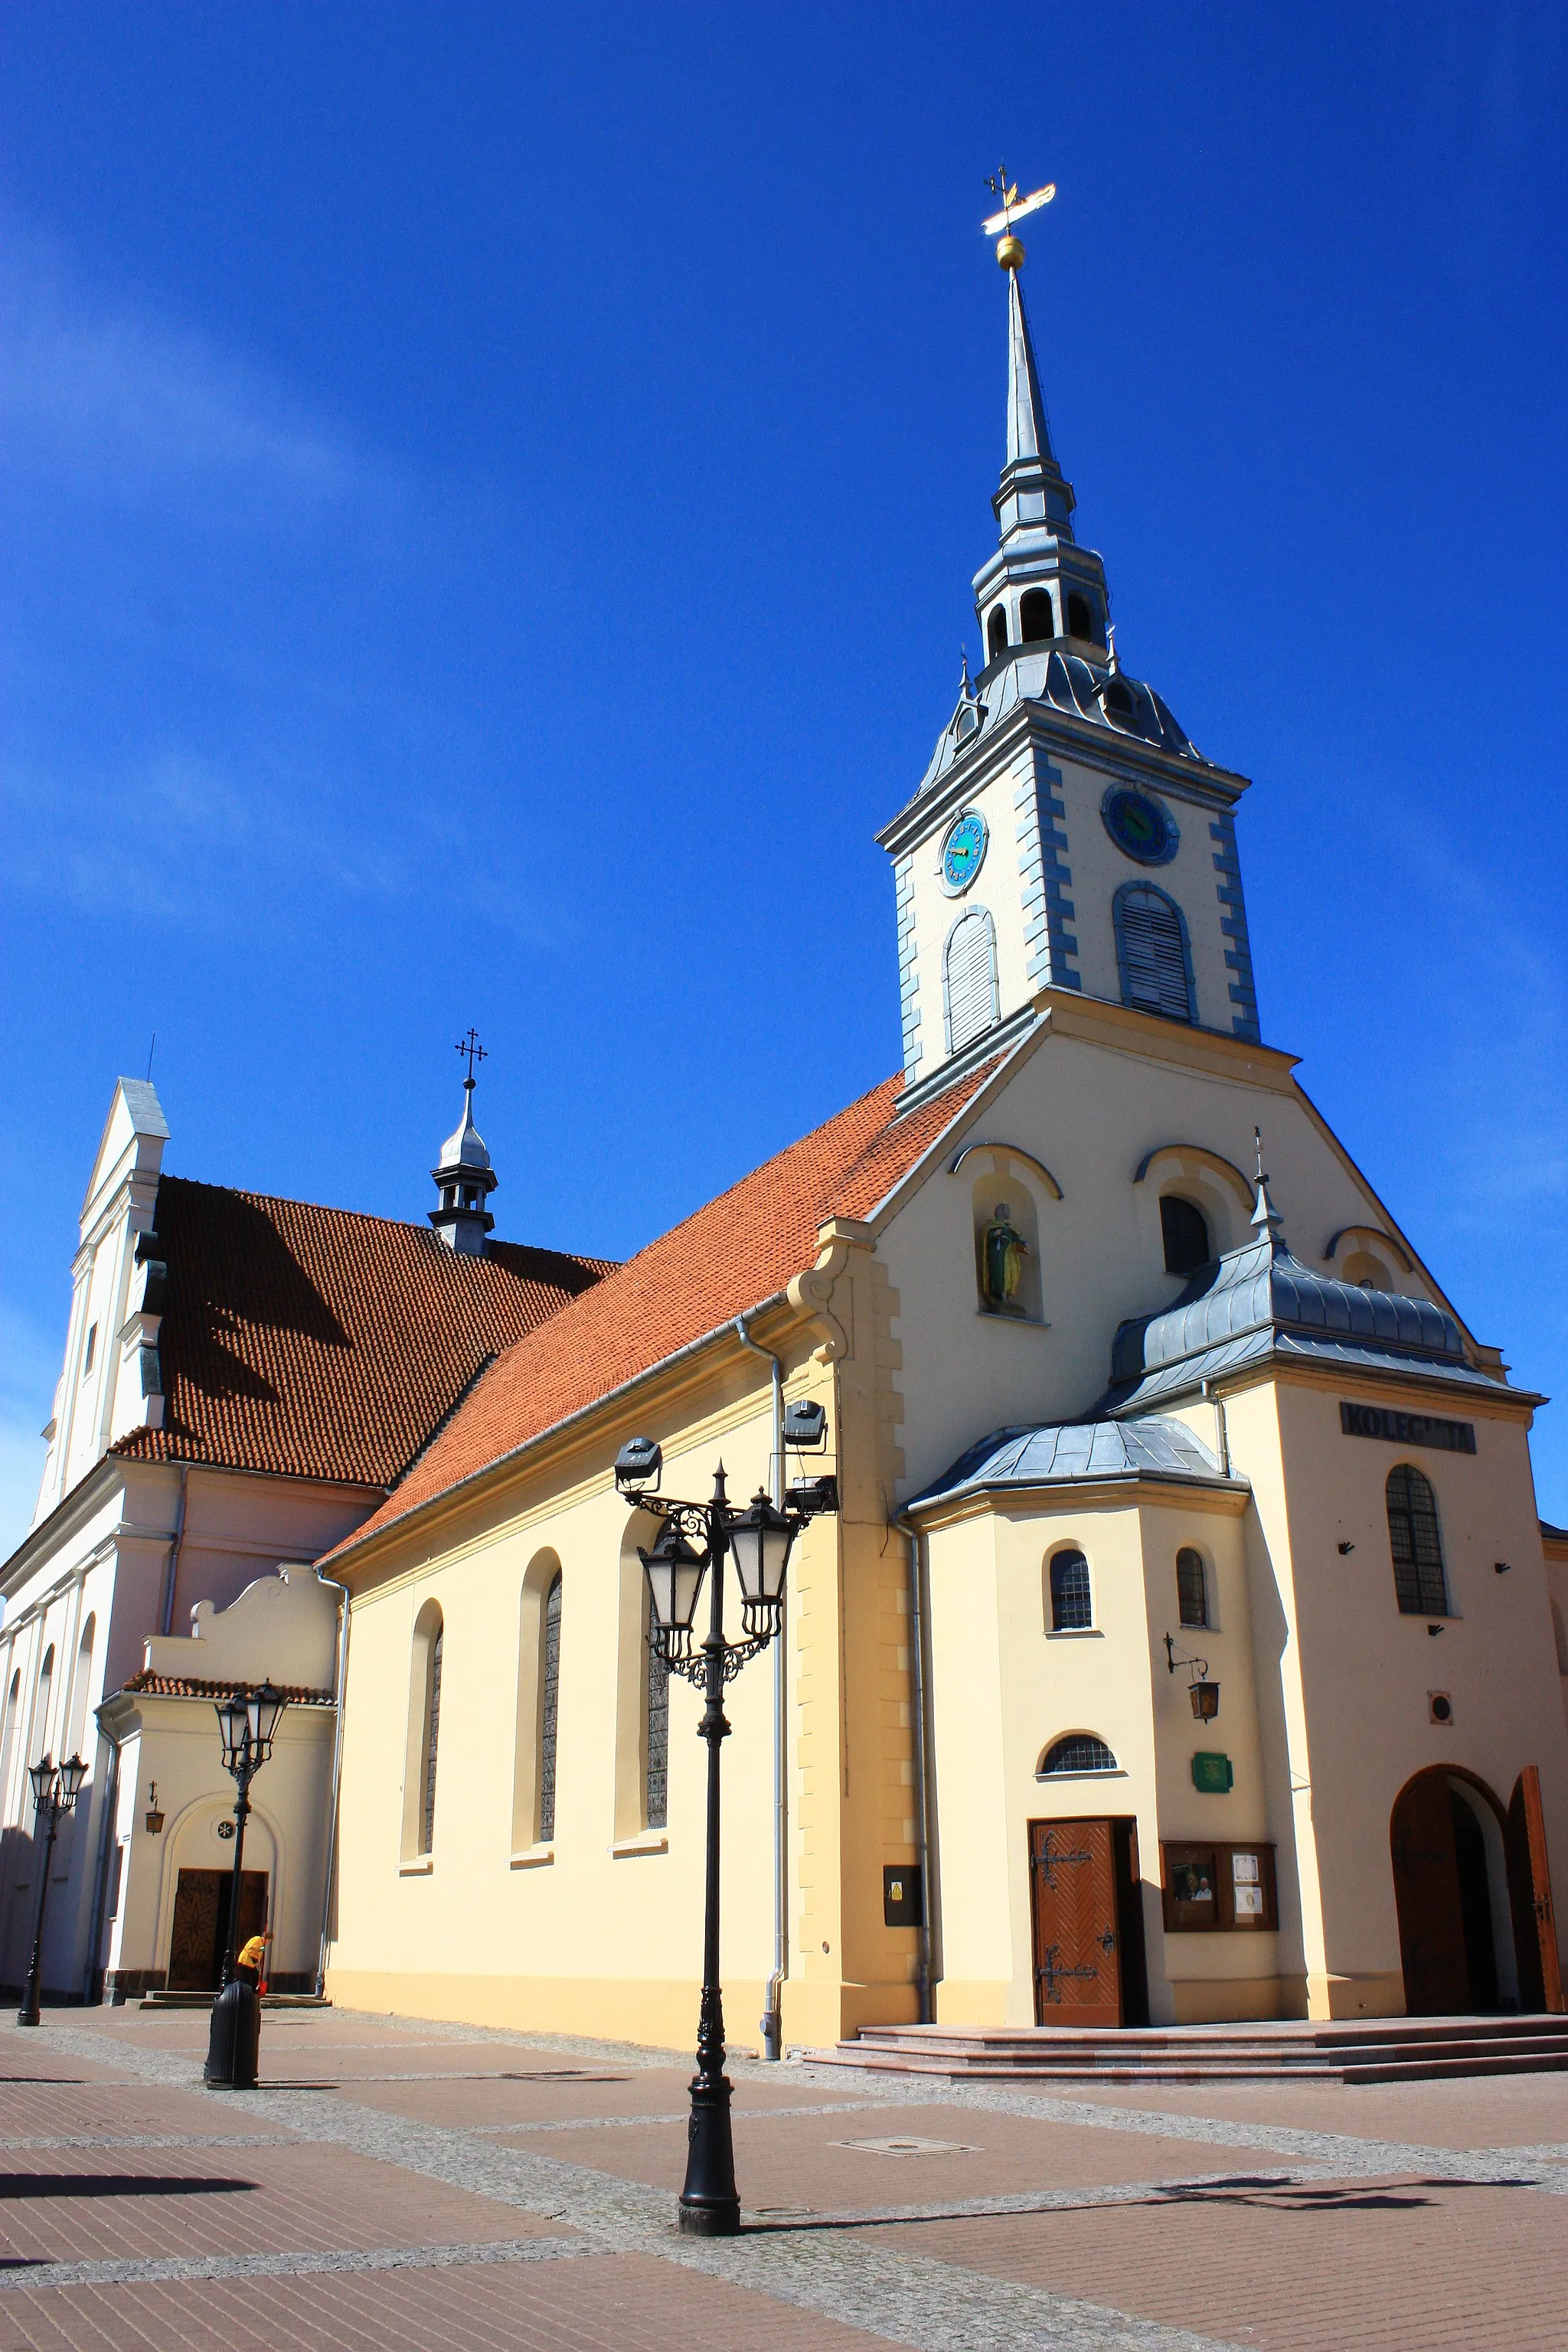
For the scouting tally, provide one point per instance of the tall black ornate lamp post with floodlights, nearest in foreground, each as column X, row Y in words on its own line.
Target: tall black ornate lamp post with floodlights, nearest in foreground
column 697, row 1537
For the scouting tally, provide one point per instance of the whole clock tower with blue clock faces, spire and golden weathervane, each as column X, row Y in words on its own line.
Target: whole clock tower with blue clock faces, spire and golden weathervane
column 1066, row 834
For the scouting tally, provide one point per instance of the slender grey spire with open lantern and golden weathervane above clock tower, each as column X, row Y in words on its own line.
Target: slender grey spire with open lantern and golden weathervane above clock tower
column 1040, row 584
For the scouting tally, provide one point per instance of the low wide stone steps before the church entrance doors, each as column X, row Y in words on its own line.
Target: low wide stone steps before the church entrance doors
column 1395, row 2050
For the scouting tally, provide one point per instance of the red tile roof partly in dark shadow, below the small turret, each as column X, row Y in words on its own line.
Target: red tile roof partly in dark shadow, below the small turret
column 326, row 1344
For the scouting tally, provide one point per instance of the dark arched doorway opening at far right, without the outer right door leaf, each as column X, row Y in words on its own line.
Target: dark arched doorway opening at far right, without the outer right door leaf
column 1452, row 1890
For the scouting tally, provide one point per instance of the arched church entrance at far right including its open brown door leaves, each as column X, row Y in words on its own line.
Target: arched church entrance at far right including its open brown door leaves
column 1473, row 1897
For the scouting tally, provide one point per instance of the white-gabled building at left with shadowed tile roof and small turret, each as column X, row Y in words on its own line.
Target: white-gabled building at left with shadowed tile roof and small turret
column 243, row 1384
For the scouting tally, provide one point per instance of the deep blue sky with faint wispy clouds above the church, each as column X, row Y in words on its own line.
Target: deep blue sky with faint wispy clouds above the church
column 488, row 516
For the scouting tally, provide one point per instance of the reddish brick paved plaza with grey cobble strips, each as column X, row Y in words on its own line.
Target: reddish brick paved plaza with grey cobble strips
column 398, row 2184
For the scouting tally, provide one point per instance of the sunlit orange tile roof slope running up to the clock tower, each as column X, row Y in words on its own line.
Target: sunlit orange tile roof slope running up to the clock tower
column 735, row 1255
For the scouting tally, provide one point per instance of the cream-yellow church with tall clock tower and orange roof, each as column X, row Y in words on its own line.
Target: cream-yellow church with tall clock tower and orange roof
column 1186, row 1645
